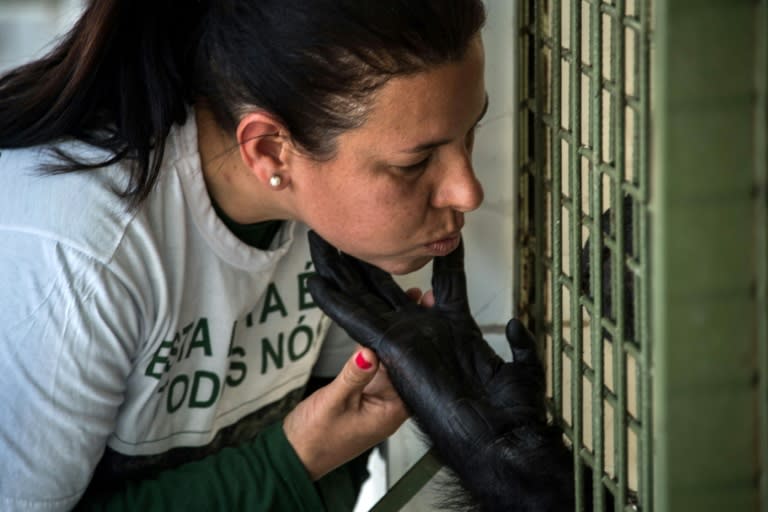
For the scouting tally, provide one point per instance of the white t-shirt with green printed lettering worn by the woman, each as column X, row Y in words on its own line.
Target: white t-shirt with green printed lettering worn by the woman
column 140, row 331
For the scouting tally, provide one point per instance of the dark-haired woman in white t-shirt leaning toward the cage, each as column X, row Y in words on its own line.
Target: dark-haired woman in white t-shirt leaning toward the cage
column 159, row 171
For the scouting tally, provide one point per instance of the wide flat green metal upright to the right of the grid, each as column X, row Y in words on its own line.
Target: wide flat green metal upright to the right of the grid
column 703, row 243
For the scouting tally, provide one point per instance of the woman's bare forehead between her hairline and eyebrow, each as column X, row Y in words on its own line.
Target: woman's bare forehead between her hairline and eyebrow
column 442, row 102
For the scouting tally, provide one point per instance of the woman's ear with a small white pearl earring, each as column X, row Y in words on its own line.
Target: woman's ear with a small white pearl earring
column 262, row 146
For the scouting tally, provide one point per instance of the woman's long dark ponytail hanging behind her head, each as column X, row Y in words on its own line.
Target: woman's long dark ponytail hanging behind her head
column 118, row 81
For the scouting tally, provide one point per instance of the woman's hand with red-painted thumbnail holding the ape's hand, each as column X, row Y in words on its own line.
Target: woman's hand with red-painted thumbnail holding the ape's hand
column 356, row 411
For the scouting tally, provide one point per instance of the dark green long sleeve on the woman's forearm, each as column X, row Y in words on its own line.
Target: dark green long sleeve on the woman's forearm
column 262, row 475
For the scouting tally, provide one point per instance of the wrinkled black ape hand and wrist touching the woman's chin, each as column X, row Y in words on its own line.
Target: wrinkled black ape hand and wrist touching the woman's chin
column 485, row 417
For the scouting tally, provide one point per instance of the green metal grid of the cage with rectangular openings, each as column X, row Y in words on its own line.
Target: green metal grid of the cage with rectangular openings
column 583, row 231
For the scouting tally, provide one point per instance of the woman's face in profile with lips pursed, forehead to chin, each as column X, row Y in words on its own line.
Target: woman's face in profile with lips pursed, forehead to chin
column 396, row 191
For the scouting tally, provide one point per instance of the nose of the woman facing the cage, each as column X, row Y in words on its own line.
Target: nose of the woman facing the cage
column 458, row 187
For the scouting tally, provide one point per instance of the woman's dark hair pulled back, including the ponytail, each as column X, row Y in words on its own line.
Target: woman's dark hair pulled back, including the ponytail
column 128, row 70
